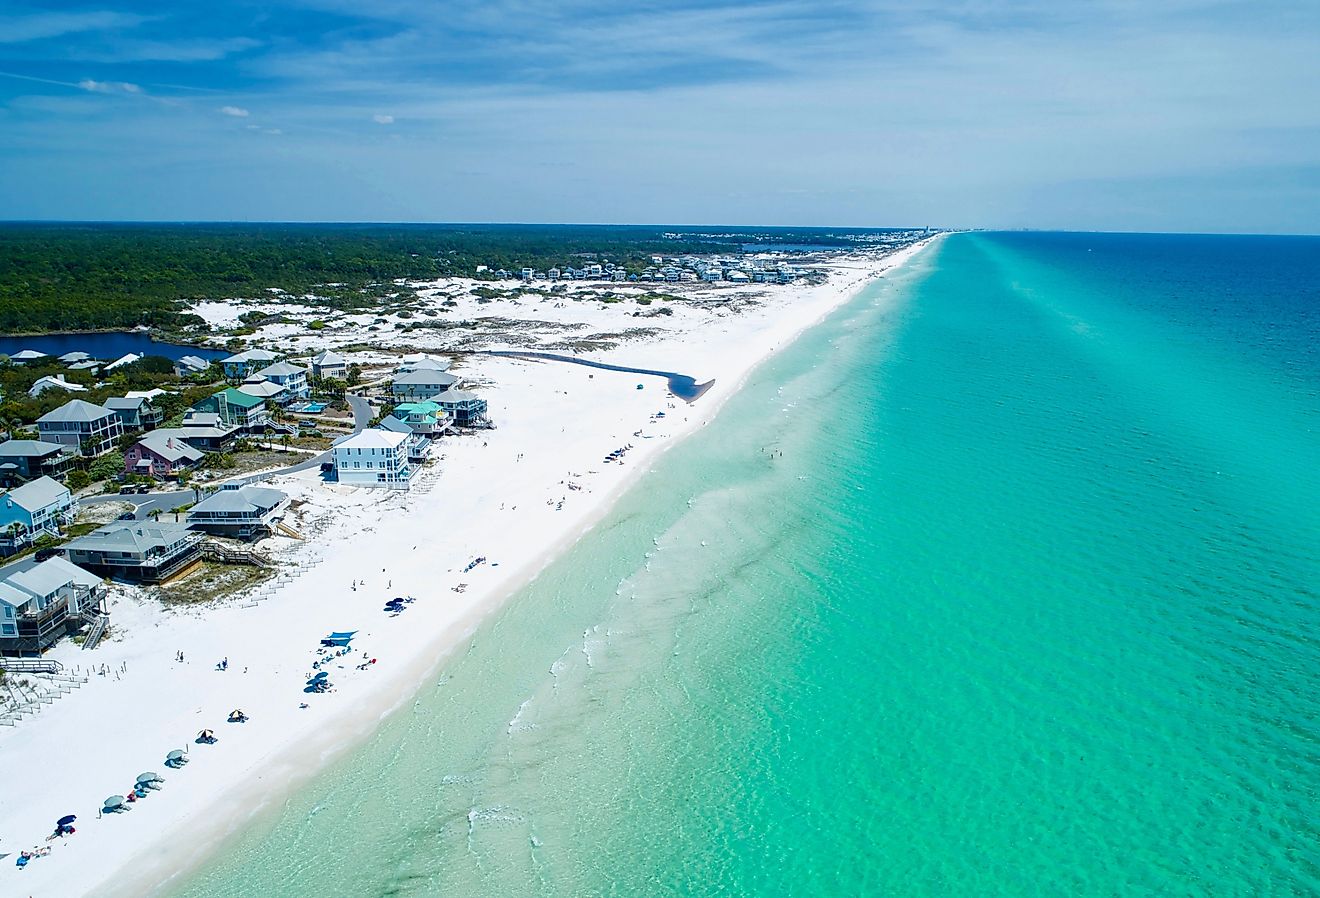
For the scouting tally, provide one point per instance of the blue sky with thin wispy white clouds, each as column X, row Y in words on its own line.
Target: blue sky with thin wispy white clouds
column 1137, row 116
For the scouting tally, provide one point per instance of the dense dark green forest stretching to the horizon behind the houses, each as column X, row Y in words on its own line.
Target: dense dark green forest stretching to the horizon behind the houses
column 68, row 278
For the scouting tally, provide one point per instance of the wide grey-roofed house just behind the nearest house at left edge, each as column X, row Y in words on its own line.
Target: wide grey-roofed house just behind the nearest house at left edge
column 137, row 550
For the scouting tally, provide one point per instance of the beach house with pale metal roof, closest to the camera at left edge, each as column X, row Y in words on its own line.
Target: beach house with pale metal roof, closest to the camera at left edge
column 43, row 603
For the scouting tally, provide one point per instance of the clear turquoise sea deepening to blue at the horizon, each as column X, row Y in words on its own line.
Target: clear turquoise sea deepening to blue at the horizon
column 1028, row 607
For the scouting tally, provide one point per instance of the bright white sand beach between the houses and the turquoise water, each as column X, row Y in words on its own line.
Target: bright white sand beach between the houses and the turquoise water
column 517, row 496
